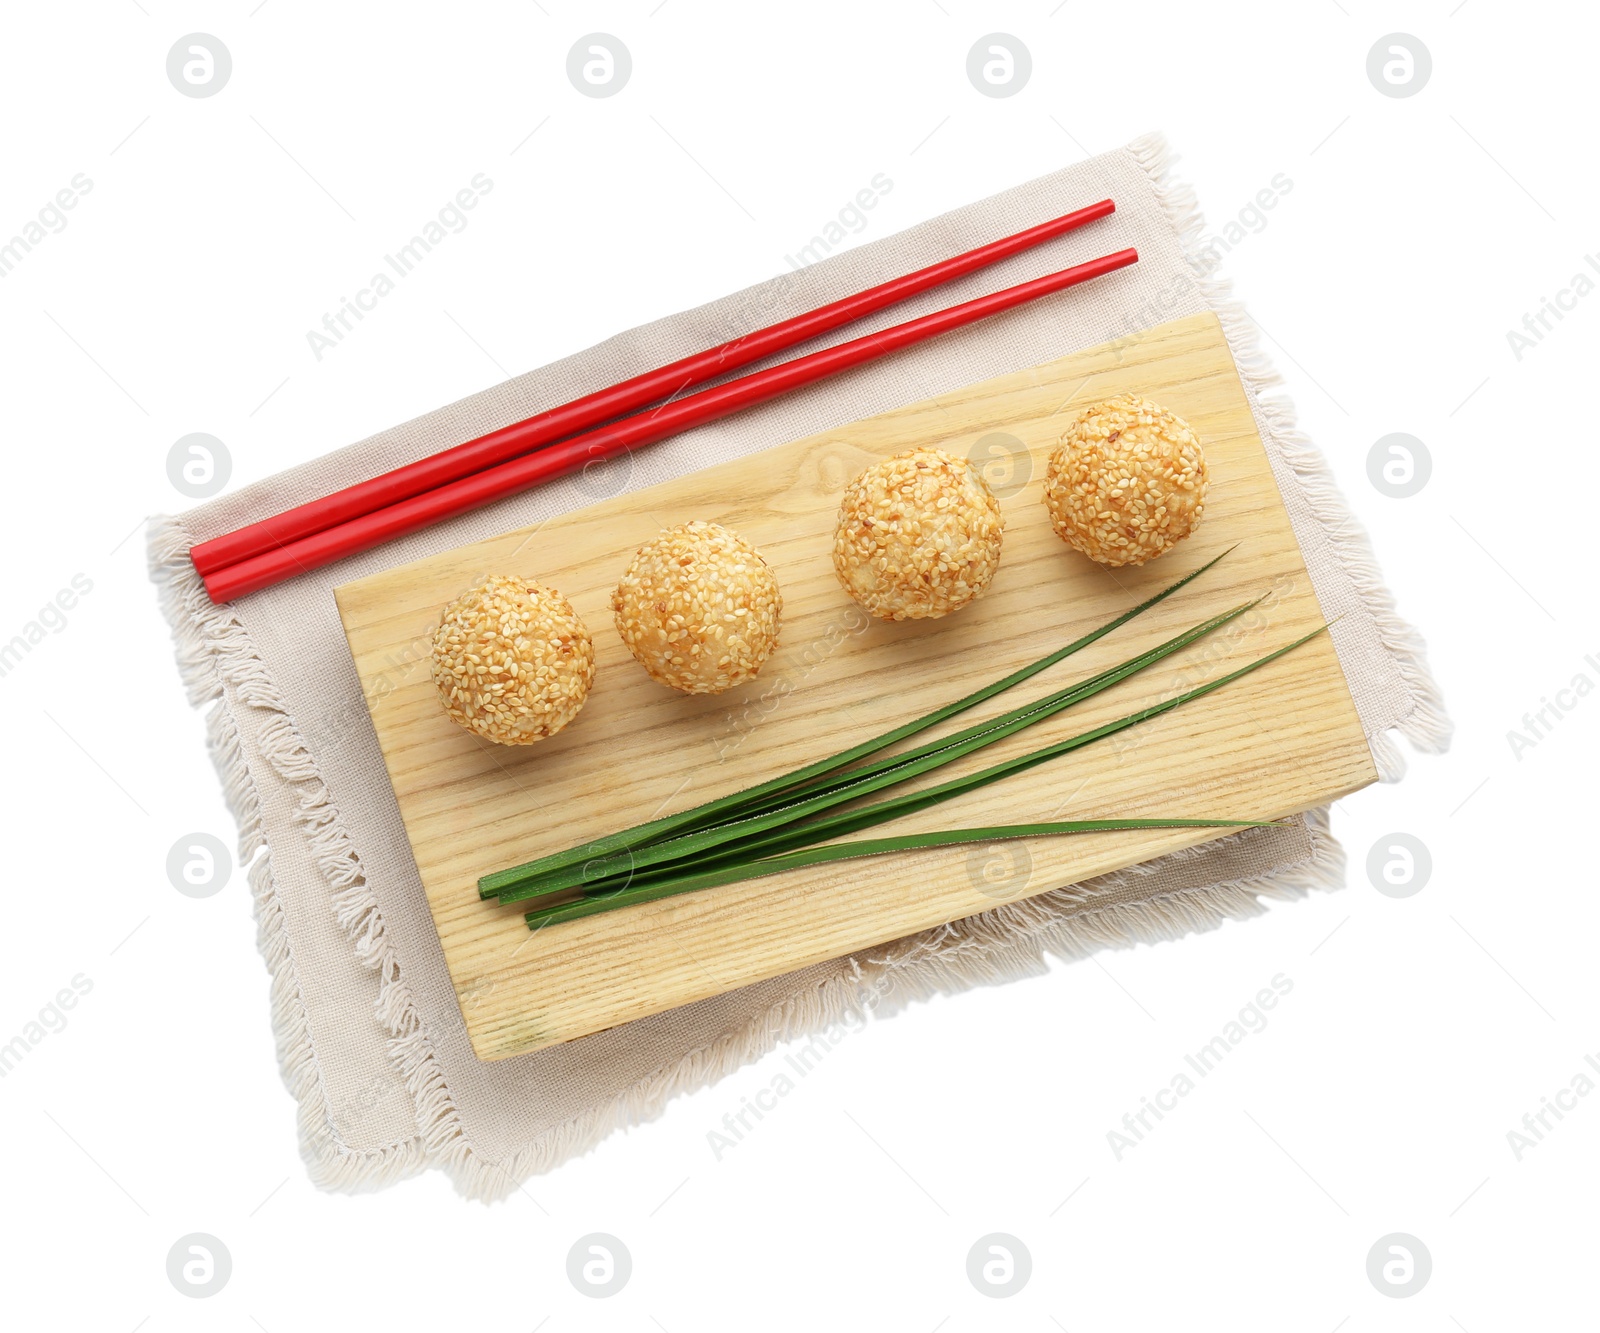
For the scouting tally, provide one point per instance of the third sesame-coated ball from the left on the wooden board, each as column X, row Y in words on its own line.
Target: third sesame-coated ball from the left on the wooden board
column 919, row 535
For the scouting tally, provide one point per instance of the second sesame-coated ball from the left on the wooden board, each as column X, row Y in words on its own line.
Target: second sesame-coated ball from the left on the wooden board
column 700, row 609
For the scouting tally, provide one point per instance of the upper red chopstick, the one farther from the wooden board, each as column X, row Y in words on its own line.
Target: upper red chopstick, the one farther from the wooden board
column 610, row 404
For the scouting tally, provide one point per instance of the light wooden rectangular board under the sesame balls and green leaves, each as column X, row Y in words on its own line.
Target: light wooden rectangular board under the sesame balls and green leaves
column 1279, row 742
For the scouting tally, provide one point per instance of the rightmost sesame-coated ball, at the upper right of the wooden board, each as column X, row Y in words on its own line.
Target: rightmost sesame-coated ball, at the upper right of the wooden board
column 1127, row 482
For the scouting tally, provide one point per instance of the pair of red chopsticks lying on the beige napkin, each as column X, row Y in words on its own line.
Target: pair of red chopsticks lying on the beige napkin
column 598, row 426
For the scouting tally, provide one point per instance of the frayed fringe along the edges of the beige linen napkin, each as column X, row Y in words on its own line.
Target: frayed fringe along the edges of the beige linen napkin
column 220, row 665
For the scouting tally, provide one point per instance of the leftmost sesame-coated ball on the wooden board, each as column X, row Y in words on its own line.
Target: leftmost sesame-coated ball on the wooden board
column 513, row 662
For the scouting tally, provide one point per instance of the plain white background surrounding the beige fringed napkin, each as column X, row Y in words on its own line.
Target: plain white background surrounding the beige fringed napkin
column 1418, row 1031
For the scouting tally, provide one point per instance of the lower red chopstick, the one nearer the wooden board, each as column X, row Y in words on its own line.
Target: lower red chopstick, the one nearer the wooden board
column 647, row 428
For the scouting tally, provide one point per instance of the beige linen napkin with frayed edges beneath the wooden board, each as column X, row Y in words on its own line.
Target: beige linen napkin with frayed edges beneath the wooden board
column 369, row 1030
